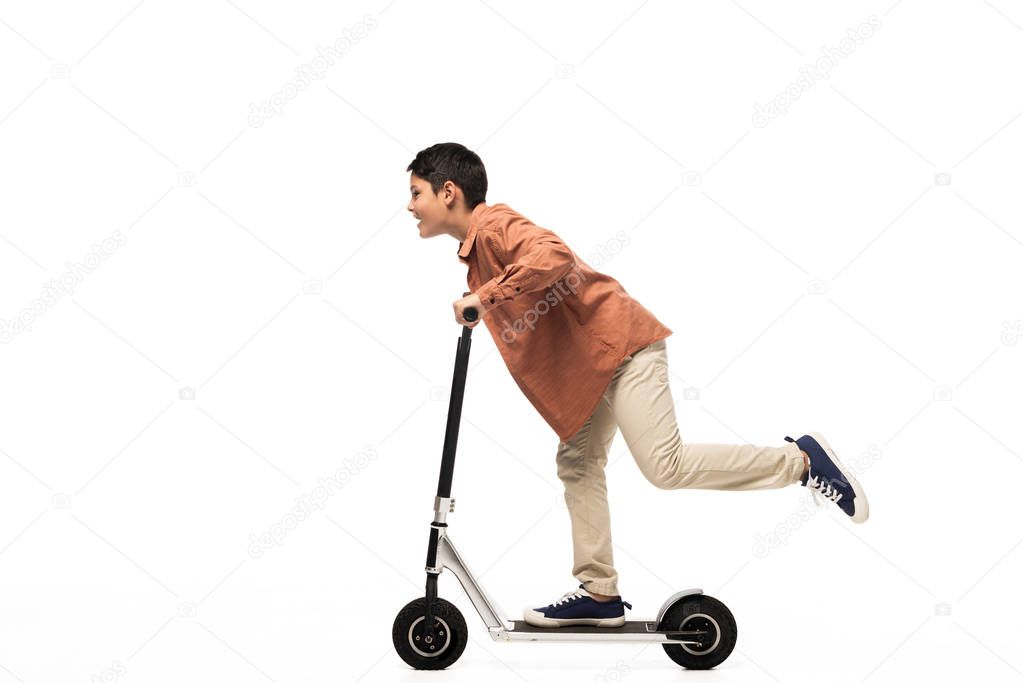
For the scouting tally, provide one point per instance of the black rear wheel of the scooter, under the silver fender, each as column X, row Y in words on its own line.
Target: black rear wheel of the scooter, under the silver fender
column 714, row 628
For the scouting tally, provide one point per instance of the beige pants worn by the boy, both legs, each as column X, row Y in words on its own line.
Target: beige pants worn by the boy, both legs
column 639, row 401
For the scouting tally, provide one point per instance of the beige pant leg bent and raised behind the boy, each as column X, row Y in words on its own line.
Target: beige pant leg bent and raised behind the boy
column 642, row 405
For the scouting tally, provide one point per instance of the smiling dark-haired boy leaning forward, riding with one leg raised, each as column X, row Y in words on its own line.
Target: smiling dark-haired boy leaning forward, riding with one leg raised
column 592, row 360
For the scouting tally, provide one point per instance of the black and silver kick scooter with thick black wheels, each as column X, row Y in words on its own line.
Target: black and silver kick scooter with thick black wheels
column 696, row 630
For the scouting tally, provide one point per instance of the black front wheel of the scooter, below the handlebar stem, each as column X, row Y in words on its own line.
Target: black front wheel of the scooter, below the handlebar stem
column 451, row 634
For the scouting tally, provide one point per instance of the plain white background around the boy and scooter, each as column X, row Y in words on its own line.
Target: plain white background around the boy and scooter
column 820, row 274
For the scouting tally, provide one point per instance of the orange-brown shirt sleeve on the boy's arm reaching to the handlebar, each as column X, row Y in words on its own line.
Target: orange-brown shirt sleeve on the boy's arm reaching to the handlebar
column 537, row 259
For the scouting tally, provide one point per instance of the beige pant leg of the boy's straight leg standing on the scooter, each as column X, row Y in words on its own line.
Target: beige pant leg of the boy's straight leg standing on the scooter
column 581, row 467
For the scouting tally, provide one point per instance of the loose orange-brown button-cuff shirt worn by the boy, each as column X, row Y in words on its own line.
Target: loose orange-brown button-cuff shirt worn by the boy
column 562, row 328
